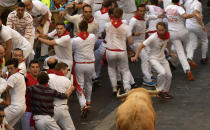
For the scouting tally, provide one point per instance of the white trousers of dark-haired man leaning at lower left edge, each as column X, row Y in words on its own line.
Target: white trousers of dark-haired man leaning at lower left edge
column 13, row 113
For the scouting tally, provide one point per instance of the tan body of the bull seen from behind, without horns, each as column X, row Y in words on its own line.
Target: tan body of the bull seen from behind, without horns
column 137, row 112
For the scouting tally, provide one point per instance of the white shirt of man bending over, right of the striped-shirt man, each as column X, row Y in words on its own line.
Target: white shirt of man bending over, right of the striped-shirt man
column 39, row 9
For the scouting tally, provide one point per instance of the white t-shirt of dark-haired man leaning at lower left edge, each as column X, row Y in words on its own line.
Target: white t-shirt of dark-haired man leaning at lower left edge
column 18, row 89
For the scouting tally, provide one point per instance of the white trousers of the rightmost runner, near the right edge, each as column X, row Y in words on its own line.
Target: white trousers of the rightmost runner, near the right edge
column 196, row 33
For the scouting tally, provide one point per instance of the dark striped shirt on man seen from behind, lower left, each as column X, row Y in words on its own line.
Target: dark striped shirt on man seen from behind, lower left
column 42, row 98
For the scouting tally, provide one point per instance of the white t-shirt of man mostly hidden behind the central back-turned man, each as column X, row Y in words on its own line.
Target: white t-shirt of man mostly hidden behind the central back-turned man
column 102, row 19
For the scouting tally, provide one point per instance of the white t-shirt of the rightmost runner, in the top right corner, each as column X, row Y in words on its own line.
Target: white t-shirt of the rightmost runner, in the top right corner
column 191, row 6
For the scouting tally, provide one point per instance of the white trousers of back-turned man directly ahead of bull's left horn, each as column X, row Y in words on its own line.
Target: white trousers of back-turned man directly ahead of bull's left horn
column 119, row 59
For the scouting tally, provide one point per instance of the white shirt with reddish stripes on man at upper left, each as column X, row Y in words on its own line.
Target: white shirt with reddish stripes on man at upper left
column 24, row 25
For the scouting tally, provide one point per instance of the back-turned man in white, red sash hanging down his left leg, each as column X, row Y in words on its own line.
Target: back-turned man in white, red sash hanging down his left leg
column 83, row 48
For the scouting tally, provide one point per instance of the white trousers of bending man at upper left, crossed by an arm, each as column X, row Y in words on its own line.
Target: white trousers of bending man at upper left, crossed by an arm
column 44, row 47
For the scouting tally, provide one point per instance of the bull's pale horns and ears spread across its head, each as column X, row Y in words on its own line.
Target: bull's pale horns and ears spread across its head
column 152, row 93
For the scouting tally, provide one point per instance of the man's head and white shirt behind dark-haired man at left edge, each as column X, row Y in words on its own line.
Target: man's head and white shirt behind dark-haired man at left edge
column 18, row 54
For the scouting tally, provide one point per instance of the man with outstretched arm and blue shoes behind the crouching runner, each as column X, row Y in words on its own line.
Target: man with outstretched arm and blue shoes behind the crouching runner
column 137, row 25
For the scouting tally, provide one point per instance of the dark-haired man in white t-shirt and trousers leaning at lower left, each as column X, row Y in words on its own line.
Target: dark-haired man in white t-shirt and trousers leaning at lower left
column 17, row 89
